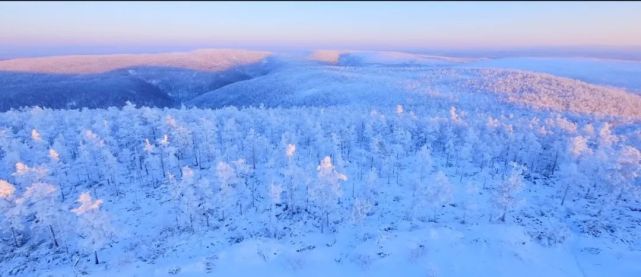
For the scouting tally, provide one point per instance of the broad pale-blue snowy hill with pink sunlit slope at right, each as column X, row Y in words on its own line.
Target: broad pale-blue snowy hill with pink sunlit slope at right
column 413, row 85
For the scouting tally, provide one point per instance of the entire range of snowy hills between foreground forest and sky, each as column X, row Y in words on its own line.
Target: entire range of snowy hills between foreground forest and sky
column 218, row 78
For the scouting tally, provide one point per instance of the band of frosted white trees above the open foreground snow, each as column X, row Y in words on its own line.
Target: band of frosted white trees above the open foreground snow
column 283, row 170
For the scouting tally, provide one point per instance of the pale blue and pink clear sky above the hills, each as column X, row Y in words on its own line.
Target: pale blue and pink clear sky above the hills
column 38, row 28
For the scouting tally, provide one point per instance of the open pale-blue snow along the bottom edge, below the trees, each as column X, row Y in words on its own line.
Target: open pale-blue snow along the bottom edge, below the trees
column 487, row 251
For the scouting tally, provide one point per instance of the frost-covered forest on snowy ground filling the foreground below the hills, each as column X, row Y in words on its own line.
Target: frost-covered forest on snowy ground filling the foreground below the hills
column 105, row 189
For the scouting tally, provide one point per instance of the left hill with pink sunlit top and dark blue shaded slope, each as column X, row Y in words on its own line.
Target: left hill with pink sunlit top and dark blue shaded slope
column 159, row 80
